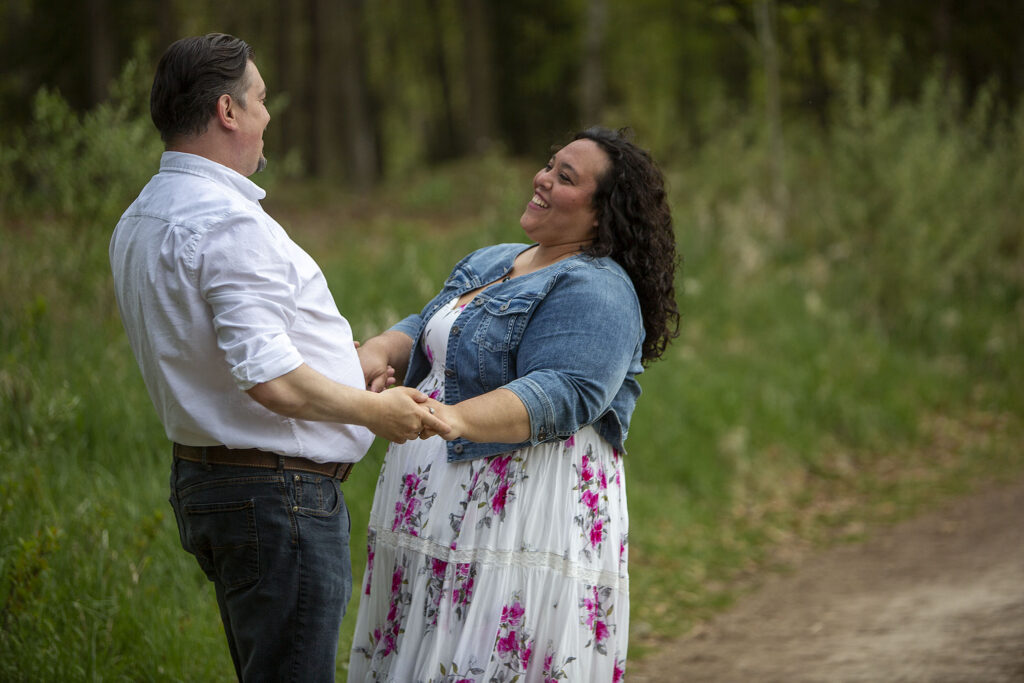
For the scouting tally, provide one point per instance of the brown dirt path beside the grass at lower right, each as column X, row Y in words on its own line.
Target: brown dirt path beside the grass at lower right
column 940, row 599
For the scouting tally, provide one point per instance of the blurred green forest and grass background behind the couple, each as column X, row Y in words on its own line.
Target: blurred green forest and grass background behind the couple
column 847, row 189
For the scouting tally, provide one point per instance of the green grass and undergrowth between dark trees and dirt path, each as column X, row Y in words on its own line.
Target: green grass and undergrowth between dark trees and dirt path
column 842, row 360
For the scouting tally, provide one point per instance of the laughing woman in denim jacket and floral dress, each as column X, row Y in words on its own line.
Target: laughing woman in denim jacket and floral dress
column 501, row 549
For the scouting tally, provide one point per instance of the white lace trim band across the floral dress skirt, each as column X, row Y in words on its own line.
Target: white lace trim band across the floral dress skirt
column 529, row 560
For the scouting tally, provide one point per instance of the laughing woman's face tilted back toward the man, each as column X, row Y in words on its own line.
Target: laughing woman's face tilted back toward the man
column 562, row 212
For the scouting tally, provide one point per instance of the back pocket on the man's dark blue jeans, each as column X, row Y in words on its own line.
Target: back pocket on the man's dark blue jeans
column 225, row 540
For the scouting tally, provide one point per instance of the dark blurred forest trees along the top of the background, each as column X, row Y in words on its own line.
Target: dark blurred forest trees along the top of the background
column 365, row 91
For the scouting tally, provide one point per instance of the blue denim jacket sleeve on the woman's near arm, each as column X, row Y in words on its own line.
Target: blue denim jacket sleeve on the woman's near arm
column 576, row 354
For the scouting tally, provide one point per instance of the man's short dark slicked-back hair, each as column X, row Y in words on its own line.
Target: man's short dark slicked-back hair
column 192, row 75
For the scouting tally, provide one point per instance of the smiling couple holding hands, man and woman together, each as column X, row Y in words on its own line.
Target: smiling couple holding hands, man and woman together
column 498, row 538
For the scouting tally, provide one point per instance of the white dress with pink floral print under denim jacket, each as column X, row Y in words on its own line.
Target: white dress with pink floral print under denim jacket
column 500, row 569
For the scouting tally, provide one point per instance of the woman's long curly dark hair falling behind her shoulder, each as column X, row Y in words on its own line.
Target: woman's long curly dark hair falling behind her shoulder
column 634, row 228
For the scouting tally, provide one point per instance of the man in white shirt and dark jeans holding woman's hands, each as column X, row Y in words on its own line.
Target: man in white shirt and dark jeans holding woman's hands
column 251, row 368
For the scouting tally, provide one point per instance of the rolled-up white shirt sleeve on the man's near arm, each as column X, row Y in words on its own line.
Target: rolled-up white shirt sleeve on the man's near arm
column 251, row 288
